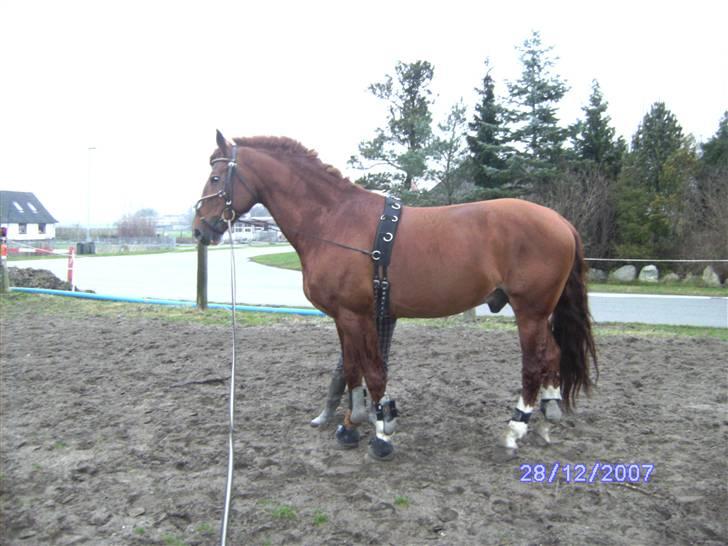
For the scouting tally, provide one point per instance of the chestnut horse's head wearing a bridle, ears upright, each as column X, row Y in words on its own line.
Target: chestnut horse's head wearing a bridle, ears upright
column 225, row 197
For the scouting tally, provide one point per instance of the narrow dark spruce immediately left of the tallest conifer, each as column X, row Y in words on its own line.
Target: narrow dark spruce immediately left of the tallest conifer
column 488, row 152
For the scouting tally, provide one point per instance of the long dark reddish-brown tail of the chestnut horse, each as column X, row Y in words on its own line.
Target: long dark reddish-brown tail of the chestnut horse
column 571, row 324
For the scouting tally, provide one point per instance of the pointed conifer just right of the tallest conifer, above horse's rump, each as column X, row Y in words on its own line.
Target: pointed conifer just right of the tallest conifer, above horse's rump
column 593, row 138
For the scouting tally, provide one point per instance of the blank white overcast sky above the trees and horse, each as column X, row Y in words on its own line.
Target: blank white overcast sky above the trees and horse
column 147, row 82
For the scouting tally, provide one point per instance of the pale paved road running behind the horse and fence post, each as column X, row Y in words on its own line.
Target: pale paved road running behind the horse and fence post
column 173, row 276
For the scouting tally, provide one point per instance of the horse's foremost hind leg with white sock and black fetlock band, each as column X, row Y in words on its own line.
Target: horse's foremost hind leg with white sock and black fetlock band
column 539, row 353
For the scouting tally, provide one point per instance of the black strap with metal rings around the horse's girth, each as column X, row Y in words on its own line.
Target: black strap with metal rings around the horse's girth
column 382, row 253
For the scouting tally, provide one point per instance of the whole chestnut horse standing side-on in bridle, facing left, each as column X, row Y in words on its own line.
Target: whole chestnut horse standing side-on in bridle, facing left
column 445, row 260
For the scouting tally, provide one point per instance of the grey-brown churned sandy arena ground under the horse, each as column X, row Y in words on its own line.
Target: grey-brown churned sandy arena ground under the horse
column 113, row 432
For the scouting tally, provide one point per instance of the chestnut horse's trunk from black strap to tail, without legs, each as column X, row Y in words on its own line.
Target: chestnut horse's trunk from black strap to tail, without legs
column 456, row 255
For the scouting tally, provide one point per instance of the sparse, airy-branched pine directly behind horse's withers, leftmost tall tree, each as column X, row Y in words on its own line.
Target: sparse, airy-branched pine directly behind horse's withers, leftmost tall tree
column 404, row 143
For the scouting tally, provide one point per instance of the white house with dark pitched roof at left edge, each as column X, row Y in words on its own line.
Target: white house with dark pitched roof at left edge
column 25, row 217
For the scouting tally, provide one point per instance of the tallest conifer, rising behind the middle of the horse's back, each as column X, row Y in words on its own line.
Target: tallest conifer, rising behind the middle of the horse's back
column 534, row 99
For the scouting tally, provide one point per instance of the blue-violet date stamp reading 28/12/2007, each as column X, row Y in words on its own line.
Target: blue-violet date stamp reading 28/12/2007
column 596, row 472
